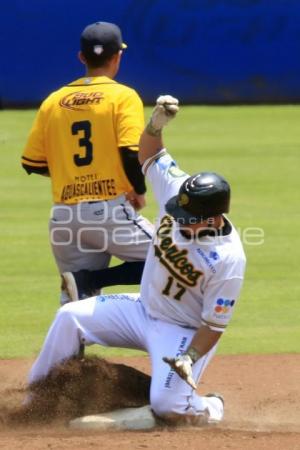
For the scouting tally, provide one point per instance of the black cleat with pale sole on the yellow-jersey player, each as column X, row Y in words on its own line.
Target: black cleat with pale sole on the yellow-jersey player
column 77, row 285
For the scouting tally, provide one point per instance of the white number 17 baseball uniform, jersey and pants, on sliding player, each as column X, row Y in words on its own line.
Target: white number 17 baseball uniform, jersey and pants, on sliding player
column 185, row 283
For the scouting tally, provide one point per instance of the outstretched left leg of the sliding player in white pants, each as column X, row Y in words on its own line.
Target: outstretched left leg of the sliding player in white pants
column 109, row 320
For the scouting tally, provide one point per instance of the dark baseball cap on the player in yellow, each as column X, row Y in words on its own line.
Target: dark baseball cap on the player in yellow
column 101, row 38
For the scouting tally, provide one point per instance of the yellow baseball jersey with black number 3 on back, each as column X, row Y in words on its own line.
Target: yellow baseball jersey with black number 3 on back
column 77, row 135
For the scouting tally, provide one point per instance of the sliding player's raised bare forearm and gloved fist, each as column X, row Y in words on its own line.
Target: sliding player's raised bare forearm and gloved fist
column 151, row 139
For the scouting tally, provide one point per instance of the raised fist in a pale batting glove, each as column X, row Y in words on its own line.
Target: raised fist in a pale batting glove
column 166, row 109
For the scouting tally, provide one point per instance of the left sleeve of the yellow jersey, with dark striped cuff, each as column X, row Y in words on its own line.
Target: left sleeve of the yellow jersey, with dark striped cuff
column 34, row 155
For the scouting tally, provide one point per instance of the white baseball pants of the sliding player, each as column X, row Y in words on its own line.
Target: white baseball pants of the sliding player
column 121, row 321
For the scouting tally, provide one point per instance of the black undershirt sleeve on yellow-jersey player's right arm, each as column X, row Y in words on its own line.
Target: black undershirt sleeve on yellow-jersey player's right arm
column 133, row 169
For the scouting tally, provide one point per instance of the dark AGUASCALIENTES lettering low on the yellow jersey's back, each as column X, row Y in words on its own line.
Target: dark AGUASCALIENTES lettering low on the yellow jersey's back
column 103, row 189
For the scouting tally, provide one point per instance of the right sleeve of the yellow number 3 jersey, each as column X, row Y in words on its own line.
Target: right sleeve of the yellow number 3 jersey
column 130, row 120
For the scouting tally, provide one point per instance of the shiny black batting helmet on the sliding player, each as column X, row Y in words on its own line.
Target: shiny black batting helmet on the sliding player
column 203, row 195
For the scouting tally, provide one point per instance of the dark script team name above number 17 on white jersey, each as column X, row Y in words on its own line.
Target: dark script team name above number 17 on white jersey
column 174, row 259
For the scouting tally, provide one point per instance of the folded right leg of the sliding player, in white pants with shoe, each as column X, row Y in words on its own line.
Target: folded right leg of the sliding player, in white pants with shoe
column 172, row 397
